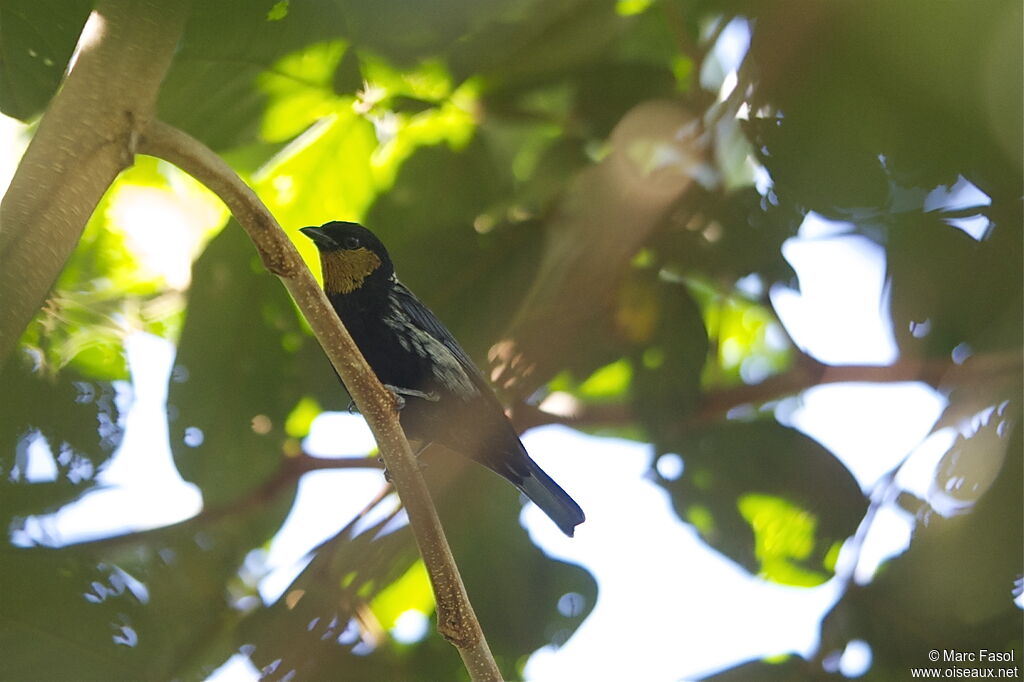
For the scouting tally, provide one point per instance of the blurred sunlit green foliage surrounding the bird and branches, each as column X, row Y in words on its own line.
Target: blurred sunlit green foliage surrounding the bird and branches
column 596, row 207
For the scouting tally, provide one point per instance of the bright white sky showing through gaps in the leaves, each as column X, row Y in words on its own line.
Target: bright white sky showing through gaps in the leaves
column 682, row 609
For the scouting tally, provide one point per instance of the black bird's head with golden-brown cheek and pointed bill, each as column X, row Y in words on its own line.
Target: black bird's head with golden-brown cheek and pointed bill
column 351, row 257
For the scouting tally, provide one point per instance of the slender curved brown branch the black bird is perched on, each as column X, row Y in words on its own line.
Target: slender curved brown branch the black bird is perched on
column 456, row 620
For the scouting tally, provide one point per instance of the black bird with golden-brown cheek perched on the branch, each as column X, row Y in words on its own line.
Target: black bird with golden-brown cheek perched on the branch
column 447, row 399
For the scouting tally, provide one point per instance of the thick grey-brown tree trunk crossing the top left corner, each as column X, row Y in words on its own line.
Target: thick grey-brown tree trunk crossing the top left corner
column 84, row 141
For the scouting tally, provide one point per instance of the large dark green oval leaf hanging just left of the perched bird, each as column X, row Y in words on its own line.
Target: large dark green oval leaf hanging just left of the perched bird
column 236, row 378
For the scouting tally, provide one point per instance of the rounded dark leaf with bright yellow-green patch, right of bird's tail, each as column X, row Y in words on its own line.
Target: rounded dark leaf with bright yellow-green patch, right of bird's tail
column 747, row 482
